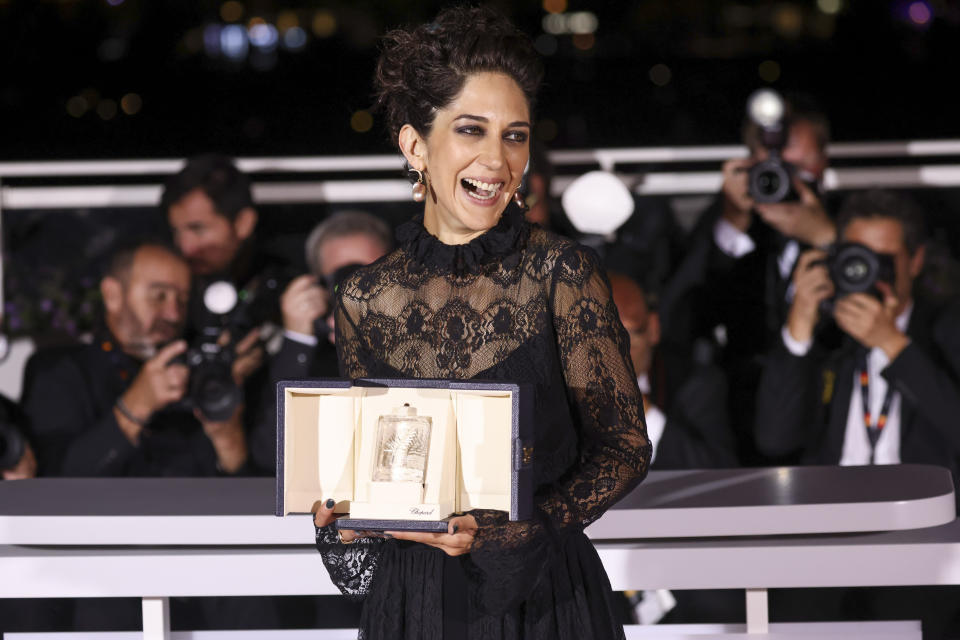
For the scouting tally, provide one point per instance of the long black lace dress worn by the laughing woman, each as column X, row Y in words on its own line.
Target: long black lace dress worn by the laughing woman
column 517, row 303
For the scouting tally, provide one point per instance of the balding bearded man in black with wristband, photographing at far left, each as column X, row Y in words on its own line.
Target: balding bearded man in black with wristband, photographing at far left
column 115, row 407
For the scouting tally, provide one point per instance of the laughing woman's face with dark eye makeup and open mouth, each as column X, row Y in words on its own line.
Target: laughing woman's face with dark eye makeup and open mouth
column 474, row 157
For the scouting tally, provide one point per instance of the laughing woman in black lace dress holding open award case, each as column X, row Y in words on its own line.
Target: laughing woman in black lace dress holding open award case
column 474, row 291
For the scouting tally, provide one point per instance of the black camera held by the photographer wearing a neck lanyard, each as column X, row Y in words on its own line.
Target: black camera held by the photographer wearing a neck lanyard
column 856, row 268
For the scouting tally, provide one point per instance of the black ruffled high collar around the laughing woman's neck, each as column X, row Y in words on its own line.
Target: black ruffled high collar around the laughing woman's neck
column 507, row 237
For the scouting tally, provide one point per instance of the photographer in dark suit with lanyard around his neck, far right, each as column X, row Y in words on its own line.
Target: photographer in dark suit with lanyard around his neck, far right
column 899, row 353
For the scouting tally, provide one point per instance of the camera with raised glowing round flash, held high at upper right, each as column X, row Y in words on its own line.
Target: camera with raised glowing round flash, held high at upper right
column 771, row 180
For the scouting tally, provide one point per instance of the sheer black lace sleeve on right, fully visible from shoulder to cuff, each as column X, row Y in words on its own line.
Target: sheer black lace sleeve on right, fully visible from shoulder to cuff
column 614, row 450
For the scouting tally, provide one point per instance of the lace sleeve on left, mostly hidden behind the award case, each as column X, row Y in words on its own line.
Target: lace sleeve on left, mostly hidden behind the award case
column 351, row 566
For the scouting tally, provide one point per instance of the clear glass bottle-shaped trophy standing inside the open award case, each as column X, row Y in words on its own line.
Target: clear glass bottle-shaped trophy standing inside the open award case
column 402, row 445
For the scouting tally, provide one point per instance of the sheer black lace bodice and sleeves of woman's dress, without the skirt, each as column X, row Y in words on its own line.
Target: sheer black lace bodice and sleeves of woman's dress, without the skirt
column 517, row 303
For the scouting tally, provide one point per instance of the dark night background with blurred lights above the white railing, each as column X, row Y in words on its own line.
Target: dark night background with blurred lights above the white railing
column 880, row 74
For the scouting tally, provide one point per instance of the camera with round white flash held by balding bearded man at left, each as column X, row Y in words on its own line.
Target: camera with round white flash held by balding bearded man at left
column 226, row 311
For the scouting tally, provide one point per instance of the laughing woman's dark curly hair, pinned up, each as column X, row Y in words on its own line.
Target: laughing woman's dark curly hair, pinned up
column 424, row 69
